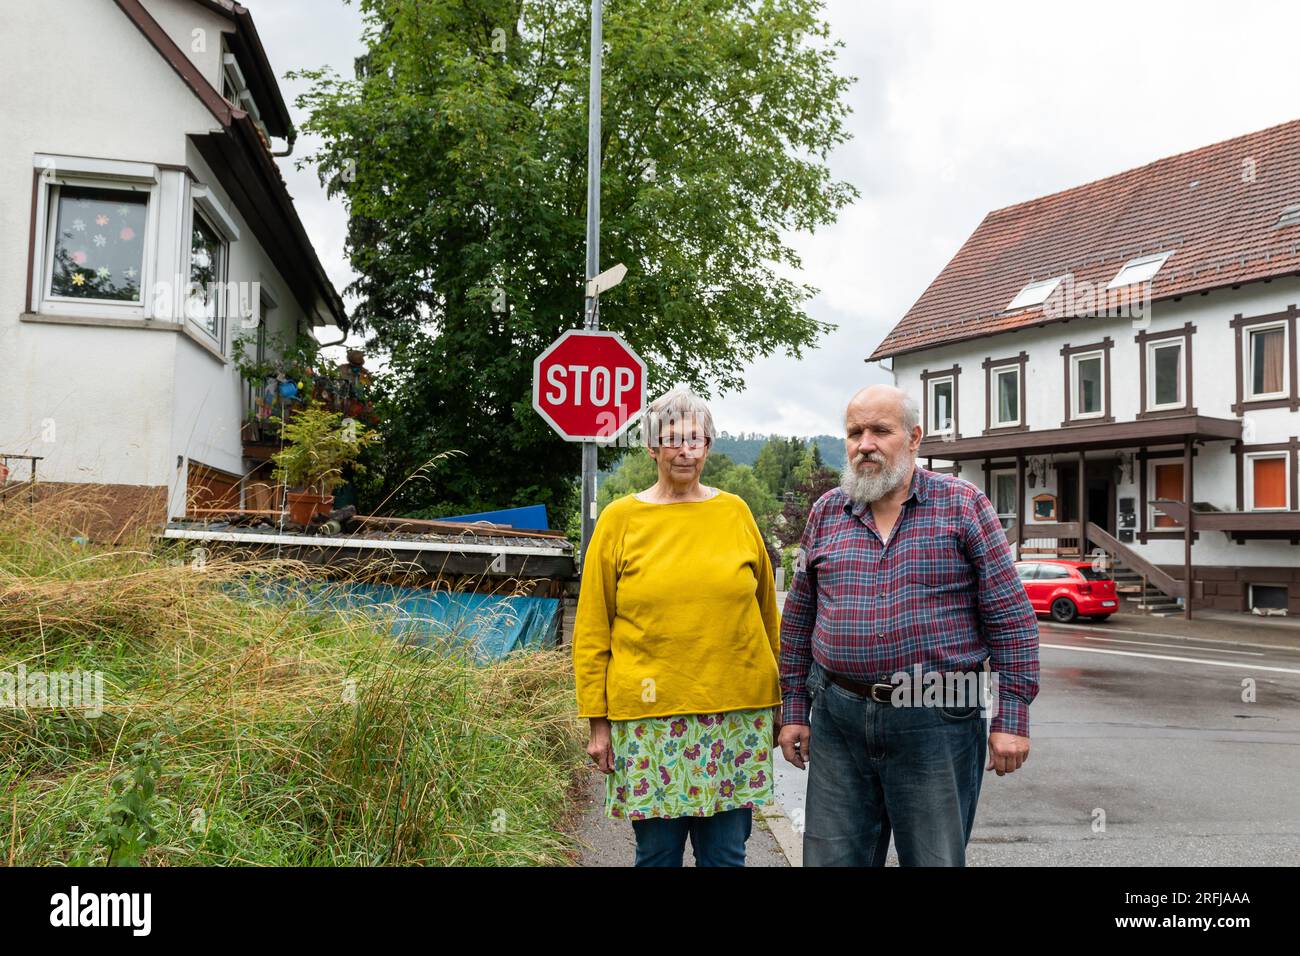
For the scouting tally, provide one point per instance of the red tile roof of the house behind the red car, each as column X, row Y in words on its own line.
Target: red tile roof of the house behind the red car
column 1217, row 207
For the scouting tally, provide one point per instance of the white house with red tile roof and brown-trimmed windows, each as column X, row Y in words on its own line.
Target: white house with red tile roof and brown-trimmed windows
column 1133, row 341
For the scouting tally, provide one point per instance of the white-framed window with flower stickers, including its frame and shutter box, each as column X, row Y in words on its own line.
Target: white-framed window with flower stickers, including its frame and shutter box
column 96, row 227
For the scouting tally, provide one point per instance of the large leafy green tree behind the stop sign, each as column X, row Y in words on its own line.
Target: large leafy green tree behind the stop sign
column 461, row 153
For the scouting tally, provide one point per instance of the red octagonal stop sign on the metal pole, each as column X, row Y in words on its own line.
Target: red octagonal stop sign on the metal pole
column 590, row 386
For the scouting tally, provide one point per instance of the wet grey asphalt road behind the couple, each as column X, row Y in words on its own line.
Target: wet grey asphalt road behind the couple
column 1149, row 726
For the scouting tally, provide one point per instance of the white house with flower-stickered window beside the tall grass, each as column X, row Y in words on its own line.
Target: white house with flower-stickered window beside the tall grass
column 144, row 227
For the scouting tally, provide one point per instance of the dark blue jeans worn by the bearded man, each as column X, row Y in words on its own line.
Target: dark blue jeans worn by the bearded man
column 877, row 768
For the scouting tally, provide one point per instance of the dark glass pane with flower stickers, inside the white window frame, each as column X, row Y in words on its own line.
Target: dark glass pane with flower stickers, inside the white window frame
column 99, row 244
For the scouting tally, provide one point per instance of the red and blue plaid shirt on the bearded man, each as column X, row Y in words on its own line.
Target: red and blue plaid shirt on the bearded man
column 943, row 592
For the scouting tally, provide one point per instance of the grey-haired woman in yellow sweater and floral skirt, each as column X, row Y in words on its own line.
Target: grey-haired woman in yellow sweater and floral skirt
column 675, row 648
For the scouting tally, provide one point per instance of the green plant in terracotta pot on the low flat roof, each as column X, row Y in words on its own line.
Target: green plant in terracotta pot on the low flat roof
column 319, row 443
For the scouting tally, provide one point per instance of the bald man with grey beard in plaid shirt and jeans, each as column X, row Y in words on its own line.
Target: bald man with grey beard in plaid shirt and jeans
column 903, row 573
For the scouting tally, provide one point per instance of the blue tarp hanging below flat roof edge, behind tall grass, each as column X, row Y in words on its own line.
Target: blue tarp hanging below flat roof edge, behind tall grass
column 491, row 625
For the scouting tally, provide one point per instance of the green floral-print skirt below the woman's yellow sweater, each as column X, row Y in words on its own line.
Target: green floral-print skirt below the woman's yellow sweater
column 692, row 765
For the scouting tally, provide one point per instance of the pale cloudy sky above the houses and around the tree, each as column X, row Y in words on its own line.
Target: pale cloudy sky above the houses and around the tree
column 960, row 109
